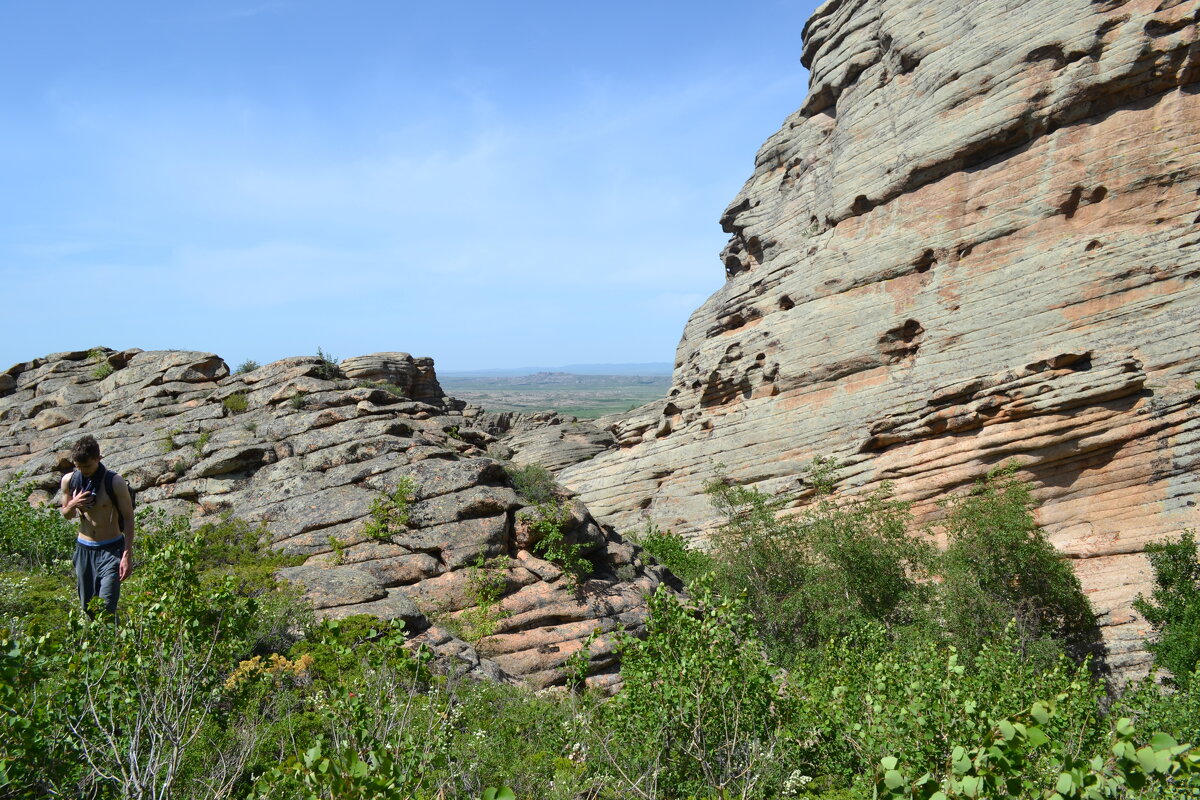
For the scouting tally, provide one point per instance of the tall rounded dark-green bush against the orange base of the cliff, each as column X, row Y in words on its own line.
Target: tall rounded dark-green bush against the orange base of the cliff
column 999, row 567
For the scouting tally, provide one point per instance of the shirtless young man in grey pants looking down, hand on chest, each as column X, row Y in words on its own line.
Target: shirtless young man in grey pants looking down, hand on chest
column 104, row 552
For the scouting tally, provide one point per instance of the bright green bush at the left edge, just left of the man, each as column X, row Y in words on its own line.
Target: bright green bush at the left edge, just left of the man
column 33, row 538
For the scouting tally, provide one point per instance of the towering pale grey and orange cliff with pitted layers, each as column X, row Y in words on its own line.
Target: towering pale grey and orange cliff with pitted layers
column 977, row 240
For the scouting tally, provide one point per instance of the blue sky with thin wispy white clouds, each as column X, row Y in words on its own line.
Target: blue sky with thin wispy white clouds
column 493, row 185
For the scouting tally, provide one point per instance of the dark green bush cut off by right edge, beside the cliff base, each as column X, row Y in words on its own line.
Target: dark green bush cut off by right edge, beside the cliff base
column 1174, row 605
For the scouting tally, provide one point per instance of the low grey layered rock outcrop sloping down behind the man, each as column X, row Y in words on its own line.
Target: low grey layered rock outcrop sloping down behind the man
column 307, row 452
